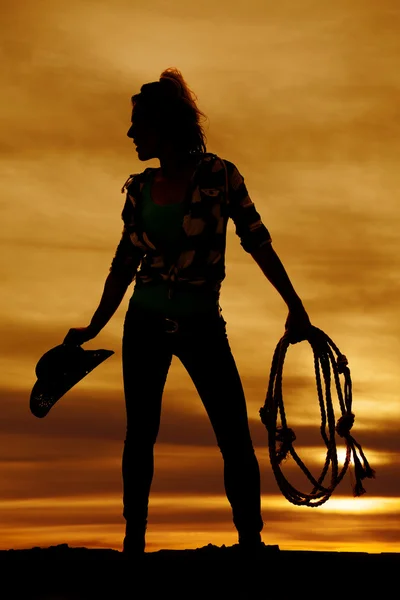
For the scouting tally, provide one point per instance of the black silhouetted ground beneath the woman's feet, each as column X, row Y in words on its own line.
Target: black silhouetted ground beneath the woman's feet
column 64, row 573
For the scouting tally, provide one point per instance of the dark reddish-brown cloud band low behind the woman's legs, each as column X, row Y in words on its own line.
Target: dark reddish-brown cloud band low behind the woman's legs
column 80, row 444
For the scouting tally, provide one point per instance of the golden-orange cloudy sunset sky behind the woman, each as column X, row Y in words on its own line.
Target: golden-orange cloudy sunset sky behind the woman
column 304, row 97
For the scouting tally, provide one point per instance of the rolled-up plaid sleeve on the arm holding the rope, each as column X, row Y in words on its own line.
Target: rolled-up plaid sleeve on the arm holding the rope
column 251, row 230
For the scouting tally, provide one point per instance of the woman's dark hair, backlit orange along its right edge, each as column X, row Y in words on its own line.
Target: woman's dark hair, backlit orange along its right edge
column 171, row 107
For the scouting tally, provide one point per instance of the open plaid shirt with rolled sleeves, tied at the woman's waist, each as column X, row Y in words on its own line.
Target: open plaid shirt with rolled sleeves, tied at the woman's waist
column 217, row 192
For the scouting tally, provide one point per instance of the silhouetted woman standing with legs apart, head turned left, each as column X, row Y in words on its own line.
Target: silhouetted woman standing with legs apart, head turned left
column 173, row 245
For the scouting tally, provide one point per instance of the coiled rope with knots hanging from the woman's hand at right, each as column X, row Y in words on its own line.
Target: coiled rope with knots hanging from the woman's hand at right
column 281, row 437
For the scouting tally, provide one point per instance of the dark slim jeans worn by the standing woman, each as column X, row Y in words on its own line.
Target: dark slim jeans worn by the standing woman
column 201, row 344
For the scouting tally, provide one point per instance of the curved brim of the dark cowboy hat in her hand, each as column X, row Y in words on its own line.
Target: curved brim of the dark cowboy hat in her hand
column 46, row 392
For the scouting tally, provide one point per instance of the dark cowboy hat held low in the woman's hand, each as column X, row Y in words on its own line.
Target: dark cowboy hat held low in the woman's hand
column 58, row 370
